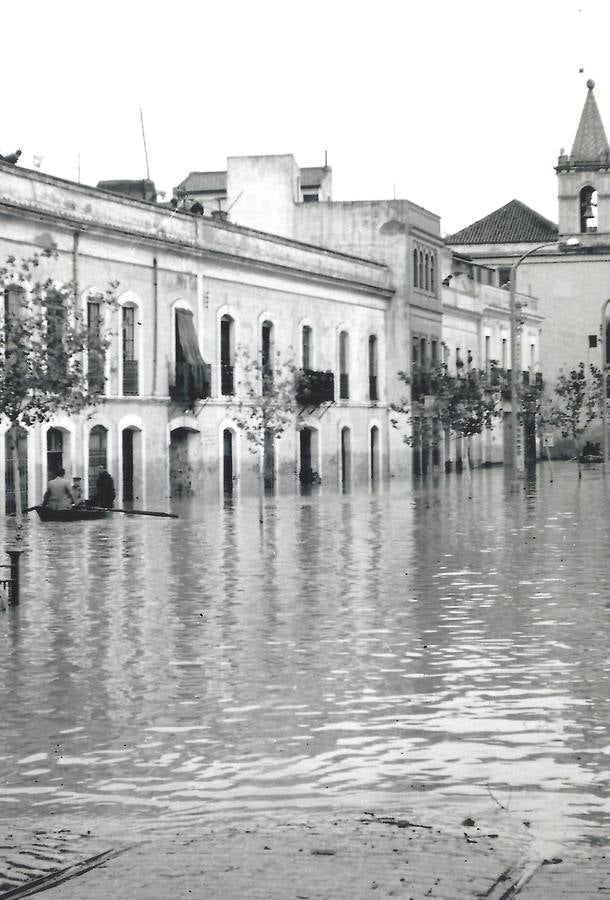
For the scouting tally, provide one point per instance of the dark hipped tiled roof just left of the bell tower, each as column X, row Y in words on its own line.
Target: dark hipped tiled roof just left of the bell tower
column 514, row 223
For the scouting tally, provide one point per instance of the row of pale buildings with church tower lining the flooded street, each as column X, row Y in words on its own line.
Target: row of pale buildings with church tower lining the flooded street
column 260, row 257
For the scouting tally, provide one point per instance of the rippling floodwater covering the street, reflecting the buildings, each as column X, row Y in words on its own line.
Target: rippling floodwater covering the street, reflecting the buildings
column 431, row 646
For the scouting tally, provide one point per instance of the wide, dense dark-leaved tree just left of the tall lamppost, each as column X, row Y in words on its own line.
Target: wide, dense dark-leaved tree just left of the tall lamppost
column 464, row 404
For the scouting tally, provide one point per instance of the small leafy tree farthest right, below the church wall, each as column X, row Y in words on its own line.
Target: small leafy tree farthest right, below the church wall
column 578, row 394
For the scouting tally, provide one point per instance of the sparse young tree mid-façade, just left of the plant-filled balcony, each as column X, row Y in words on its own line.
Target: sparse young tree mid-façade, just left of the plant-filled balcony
column 266, row 404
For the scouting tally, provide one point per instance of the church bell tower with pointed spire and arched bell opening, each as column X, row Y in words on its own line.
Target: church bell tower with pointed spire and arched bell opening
column 584, row 177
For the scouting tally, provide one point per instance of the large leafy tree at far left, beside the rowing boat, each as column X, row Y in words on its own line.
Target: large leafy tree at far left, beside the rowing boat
column 44, row 341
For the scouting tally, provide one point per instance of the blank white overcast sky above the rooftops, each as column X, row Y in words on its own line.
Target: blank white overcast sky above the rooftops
column 457, row 106
